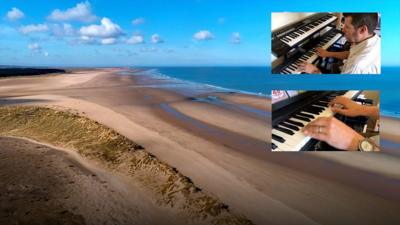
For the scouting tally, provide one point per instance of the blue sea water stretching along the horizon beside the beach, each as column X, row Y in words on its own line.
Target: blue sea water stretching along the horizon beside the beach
column 259, row 81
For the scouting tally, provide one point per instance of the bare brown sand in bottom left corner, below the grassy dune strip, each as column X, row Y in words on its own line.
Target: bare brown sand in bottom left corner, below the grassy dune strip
column 44, row 185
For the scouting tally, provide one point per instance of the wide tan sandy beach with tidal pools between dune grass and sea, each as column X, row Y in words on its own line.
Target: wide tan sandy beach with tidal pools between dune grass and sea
column 222, row 144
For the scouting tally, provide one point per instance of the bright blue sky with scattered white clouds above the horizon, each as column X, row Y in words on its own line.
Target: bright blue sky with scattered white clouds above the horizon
column 161, row 33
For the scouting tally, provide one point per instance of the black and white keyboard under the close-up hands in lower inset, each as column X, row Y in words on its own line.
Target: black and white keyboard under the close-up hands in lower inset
column 290, row 115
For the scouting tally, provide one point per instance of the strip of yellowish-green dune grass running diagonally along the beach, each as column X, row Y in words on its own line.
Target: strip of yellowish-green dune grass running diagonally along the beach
column 97, row 142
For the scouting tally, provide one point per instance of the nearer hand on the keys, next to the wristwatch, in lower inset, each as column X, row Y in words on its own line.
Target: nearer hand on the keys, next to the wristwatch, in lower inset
column 333, row 132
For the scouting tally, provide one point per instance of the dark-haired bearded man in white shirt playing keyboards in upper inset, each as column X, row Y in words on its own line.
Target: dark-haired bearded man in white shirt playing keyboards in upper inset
column 364, row 55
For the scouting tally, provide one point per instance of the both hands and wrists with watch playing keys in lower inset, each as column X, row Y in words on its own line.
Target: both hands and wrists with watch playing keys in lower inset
column 339, row 135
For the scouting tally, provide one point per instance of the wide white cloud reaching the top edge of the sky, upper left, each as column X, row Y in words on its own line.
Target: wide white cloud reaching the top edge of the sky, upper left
column 81, row 12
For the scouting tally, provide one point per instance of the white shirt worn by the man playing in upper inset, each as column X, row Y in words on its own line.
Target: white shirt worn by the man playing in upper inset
column 364, row 57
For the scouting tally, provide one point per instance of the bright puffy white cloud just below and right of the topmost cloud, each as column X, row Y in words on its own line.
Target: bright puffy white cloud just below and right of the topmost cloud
column 107, row 29
